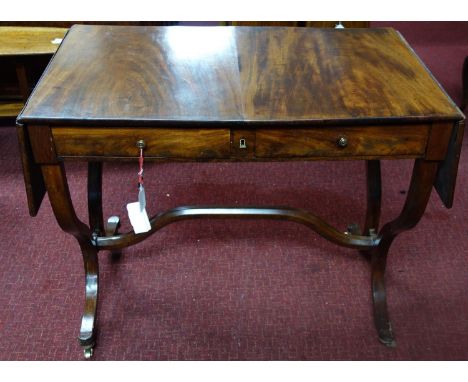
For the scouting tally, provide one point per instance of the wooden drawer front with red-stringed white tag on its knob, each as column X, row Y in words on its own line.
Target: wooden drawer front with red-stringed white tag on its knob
column 159, row 143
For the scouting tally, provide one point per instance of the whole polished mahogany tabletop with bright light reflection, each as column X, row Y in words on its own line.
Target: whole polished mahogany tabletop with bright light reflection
column 133, row 75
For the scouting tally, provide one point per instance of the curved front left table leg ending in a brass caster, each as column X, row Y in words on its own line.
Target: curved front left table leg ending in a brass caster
column 59, row 196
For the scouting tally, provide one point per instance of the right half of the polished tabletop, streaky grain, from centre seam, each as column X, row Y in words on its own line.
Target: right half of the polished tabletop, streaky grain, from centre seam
column 303, row 74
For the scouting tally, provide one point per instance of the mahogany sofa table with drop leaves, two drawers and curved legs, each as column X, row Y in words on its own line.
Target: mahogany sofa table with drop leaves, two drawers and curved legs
column 237, row 94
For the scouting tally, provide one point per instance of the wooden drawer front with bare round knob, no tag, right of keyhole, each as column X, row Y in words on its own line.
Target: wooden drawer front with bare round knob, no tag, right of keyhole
column 366, row 141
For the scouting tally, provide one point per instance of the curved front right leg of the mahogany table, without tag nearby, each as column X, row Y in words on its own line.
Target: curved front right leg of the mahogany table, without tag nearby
column 422, row 180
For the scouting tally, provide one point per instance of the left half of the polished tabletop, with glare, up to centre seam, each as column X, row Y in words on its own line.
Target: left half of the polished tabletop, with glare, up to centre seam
column 141, row 73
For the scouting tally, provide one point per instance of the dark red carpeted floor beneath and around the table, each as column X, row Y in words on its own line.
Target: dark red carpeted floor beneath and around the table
column 230, row 289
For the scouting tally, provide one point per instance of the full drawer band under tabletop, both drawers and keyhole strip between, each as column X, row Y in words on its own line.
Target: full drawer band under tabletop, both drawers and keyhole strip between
column 224, row 144
